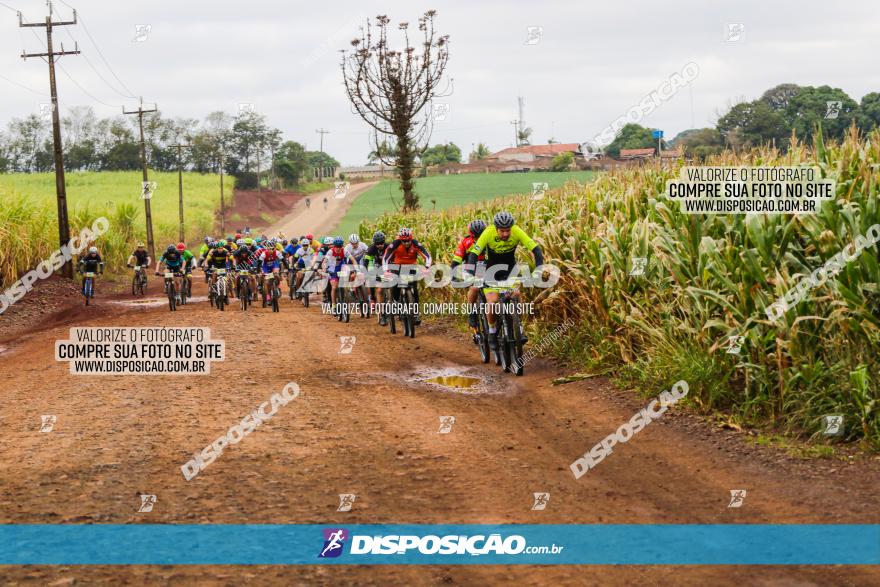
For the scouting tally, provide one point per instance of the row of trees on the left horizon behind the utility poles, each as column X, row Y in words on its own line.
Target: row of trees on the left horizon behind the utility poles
column 246, row 146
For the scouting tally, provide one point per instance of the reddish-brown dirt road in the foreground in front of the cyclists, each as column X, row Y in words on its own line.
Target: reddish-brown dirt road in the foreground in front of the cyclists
column 366, row 424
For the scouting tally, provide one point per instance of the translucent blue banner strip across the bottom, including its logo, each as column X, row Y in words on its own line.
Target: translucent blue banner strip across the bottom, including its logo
column 452, row 544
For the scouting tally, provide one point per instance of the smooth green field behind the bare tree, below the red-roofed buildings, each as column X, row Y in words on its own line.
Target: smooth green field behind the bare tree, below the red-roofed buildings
column 449, row 191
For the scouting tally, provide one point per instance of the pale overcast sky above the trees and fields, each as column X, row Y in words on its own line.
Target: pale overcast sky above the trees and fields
column 593, row 61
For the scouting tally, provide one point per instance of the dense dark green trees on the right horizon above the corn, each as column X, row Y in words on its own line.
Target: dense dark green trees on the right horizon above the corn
column 770, row 119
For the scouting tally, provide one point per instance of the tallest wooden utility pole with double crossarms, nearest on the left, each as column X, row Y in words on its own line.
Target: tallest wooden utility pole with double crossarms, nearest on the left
column 60, row 187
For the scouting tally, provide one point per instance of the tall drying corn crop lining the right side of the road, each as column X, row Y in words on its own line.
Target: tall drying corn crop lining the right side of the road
column 709, row 277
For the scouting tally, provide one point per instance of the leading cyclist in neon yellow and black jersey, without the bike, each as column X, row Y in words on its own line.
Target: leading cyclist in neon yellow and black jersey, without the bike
column 500, row 241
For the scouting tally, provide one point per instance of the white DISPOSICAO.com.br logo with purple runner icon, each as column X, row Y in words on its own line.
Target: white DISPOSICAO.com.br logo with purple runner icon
column 430, row 544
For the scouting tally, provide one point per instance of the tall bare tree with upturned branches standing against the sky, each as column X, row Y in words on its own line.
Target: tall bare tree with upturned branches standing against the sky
column 389, row 88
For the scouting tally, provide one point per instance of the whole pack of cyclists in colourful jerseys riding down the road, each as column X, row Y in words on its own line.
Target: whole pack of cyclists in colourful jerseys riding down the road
column 239, row 258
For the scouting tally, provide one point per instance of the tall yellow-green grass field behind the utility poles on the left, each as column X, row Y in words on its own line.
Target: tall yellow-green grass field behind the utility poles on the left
column 28, row 214
